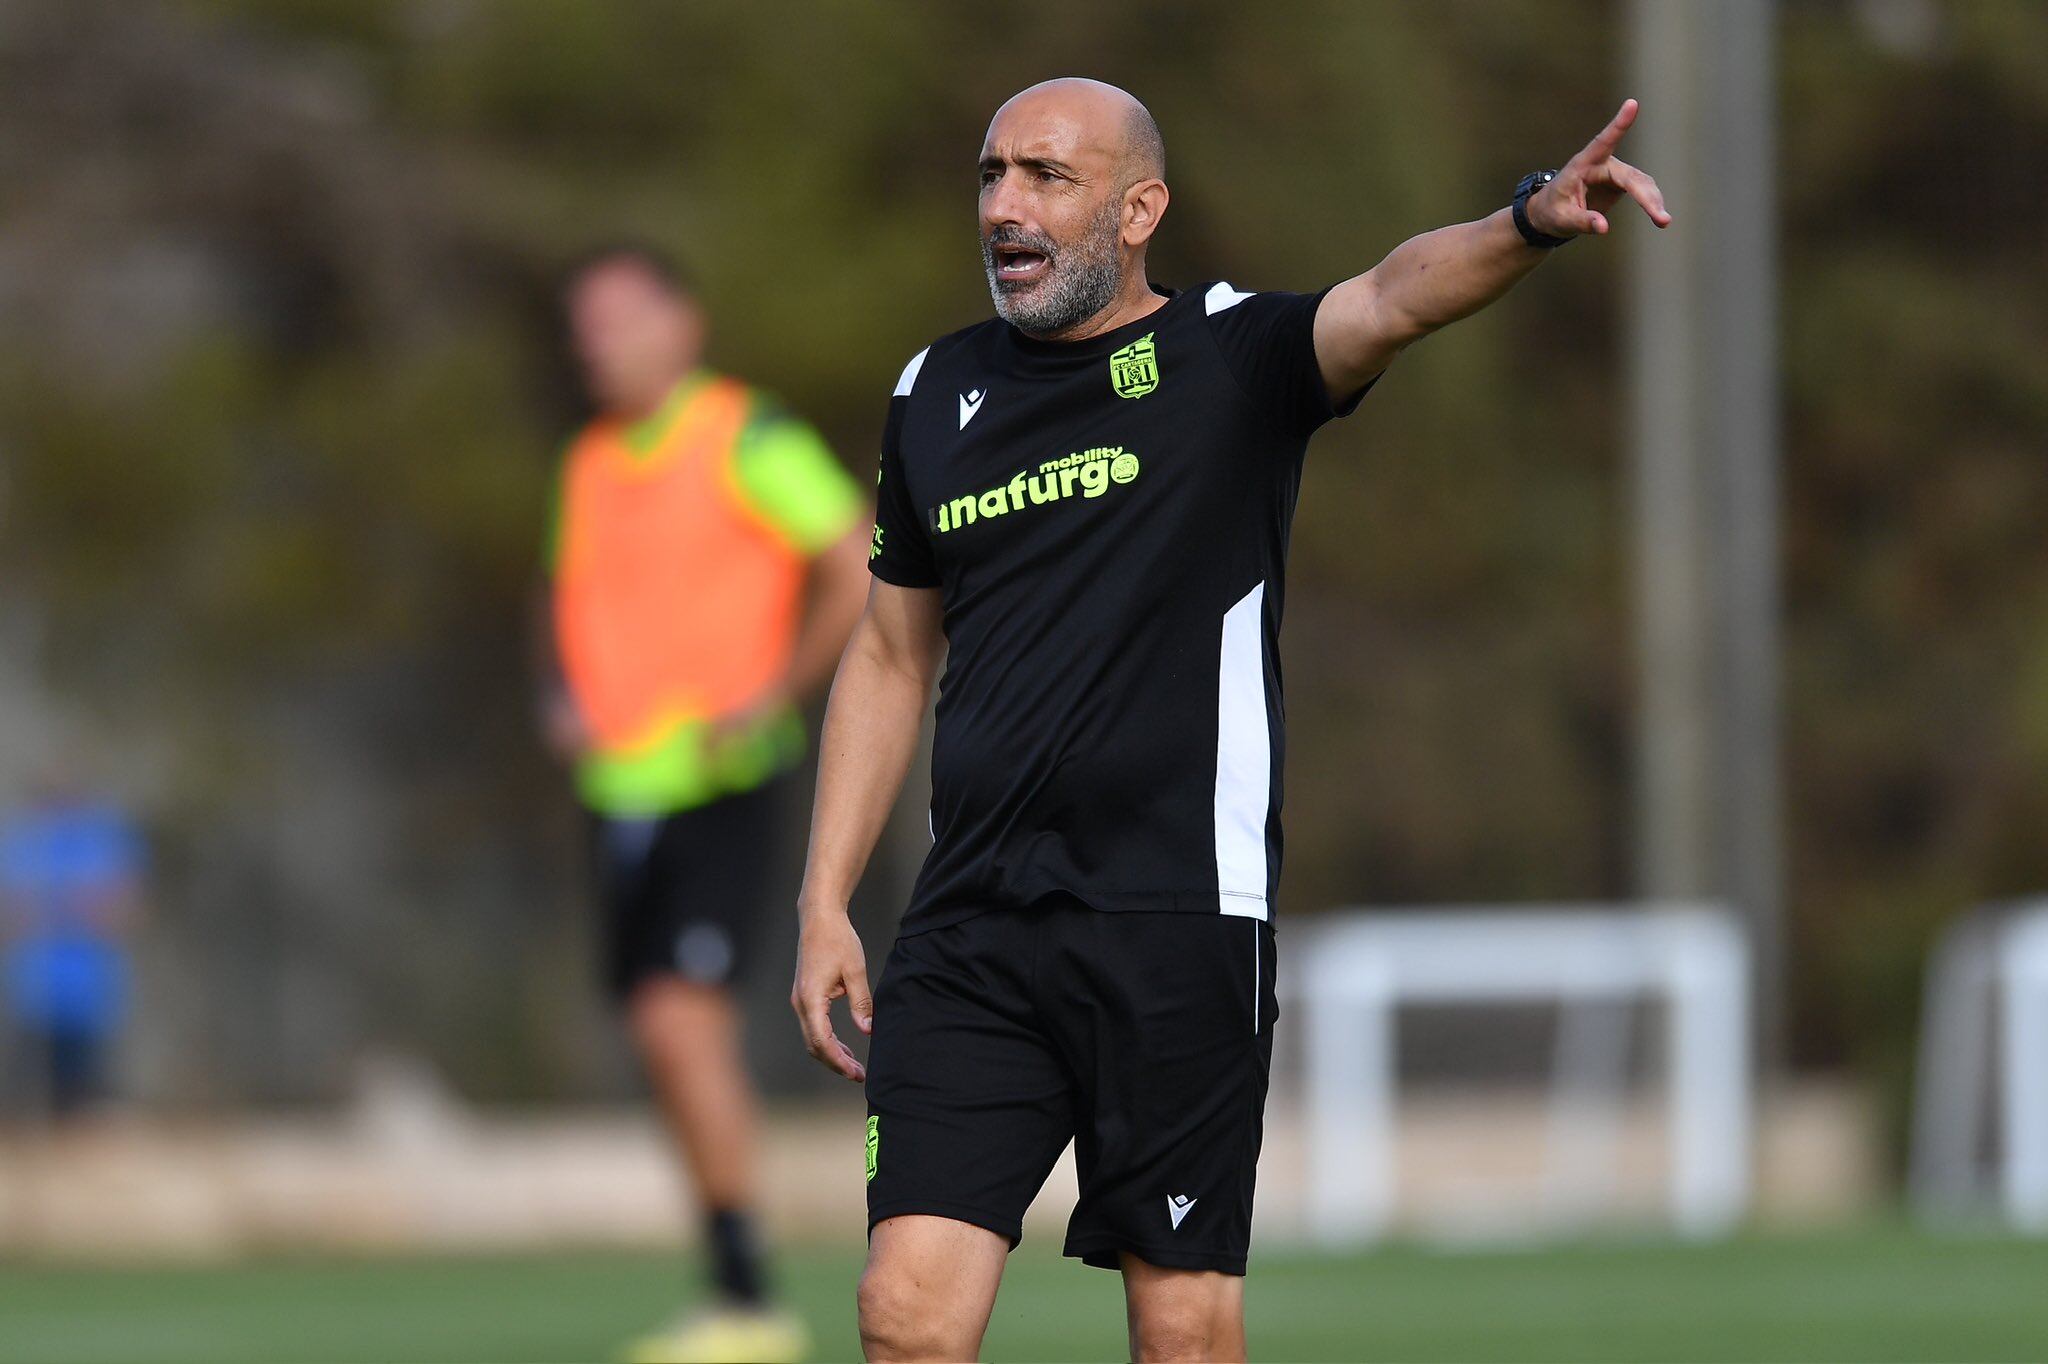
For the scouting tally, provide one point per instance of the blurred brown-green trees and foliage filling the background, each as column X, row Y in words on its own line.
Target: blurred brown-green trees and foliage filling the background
column 280, row 390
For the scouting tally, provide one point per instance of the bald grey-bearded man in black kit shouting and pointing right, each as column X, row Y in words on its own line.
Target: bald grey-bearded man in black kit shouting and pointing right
column 1084, row 509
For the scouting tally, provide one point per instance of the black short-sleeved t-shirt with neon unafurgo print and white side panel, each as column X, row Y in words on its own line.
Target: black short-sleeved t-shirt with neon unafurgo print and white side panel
column 1109, row 525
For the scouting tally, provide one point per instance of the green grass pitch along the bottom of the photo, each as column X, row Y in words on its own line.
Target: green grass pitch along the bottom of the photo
column 1875, row 1295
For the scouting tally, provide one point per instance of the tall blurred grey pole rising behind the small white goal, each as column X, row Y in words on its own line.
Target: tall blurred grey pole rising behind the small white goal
column 1705, row 429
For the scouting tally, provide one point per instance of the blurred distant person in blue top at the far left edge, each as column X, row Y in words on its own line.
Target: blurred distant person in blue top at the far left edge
column 71, row 898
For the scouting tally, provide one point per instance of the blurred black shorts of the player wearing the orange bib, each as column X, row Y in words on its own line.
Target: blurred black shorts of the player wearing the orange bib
column 685, row 894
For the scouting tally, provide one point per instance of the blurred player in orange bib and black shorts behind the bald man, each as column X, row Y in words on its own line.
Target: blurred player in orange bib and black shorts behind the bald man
column 708, row 568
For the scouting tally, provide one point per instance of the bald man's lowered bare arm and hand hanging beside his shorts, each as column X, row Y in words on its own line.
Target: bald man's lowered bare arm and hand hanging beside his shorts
column 871, row 736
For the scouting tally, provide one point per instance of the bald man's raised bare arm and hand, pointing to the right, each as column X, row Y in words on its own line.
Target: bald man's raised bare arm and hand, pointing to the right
column 1451, row 273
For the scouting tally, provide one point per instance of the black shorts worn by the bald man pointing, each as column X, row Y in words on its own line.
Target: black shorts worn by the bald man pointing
column 1142, row 1037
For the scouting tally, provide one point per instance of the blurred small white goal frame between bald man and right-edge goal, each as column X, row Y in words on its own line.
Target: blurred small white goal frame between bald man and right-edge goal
column 1355, row 970
